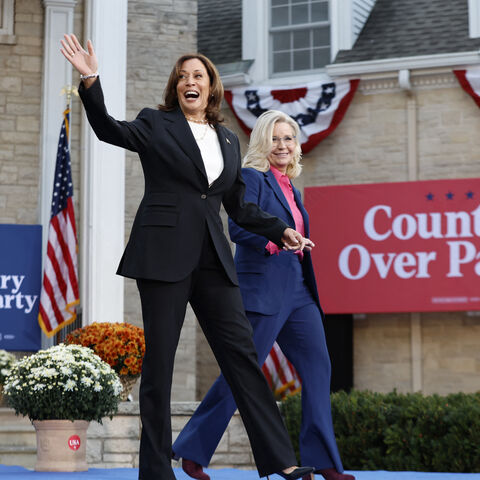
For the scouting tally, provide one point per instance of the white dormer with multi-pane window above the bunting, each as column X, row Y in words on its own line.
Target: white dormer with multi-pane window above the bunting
column 289, row 40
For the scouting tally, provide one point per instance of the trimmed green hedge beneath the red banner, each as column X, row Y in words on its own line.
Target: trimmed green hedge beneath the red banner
column 401, row 432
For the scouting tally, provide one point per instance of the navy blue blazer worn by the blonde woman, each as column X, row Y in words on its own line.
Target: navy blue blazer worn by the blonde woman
column 261, row 275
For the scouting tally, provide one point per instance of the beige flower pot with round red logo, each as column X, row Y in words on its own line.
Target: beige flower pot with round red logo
column 61, row 445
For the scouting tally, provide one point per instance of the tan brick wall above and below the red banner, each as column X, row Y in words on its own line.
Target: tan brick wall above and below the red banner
column 370, row 145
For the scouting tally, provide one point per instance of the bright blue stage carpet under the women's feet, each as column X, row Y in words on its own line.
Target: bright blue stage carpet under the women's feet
column 20, row 473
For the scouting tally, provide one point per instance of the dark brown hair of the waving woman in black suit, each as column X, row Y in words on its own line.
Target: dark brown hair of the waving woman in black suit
column 170, row 98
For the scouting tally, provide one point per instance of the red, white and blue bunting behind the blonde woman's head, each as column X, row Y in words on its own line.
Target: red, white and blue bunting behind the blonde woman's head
column 317, row 107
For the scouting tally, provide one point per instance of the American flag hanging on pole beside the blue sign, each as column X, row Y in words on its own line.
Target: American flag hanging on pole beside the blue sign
column 59, row 295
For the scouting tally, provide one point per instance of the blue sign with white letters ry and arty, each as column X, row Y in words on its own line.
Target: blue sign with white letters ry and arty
column 20, row 284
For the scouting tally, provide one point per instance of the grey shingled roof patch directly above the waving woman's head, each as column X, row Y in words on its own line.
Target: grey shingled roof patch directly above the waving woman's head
column 220, row 30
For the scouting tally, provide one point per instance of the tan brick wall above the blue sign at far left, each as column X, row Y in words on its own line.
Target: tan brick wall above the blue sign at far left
column 20, row 96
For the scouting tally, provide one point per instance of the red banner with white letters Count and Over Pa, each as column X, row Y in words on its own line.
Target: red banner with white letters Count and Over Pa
column 397, row 247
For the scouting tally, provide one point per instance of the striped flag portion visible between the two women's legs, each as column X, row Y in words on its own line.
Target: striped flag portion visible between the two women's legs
column 281, row 374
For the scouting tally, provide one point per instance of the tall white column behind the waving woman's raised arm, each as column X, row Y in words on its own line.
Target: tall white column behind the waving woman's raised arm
column 103, row 171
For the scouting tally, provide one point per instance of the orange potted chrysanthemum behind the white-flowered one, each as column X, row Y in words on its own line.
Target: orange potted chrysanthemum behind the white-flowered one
column 121, row 345
